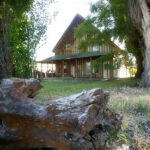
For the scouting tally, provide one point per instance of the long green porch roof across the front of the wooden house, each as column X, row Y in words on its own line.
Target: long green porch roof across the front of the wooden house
column 71, row 56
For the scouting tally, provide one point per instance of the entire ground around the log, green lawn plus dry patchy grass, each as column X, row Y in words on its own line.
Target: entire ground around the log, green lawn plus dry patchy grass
column 132, row 102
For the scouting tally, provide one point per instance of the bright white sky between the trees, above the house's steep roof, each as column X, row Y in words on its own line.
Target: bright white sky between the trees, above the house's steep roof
column 67, row 9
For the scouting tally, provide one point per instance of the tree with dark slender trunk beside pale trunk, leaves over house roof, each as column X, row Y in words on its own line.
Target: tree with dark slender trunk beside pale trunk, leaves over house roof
column 111, row 19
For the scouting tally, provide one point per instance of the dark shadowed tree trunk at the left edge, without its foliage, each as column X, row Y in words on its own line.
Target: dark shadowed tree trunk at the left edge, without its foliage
column 5, row 61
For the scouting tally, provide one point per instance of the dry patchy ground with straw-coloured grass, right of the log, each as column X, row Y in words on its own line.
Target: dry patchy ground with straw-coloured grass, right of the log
column 134, row 104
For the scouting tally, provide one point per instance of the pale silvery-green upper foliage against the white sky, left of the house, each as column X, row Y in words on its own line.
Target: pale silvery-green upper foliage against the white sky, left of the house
column 38, row 18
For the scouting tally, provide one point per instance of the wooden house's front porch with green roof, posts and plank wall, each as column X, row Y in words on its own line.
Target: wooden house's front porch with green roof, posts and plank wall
column 76, row 66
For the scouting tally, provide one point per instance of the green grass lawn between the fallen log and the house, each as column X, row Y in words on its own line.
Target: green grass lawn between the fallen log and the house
column 56, row 89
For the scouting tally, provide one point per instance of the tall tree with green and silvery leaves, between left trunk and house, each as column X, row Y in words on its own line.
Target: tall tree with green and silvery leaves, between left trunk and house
column 25, row 33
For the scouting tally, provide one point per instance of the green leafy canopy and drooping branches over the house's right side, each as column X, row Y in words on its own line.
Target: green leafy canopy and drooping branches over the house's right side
column 109, row 21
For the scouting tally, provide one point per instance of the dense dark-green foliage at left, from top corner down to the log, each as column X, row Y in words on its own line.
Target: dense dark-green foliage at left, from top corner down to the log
column 14, row 24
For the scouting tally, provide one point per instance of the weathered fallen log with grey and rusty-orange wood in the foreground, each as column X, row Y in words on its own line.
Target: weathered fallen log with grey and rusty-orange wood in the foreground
column 78, row 122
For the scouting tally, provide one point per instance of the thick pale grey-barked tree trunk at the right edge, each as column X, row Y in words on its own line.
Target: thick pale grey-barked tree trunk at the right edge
column 140, row 16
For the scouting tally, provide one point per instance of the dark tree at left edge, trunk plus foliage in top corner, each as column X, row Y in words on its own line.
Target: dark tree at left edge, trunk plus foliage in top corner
column 8, row 10
